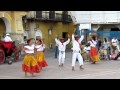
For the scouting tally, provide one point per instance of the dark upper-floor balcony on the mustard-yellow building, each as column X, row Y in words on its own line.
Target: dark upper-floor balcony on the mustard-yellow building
column 49, row 16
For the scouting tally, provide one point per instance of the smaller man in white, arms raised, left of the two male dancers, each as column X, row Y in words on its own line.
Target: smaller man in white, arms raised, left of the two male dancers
column 62, row 48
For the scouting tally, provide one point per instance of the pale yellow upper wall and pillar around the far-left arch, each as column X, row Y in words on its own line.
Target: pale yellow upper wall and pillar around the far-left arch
column 15, row 20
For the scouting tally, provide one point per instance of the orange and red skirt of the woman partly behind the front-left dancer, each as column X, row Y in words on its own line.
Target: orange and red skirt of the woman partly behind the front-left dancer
column 40, row 57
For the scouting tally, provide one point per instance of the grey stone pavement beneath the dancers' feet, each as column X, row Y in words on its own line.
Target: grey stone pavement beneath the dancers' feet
column 102, row 70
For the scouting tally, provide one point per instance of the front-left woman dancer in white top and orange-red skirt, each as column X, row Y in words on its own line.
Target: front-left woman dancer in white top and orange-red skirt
column 30, row 64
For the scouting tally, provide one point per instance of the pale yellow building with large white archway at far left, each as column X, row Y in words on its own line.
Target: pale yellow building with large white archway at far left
column 11, row 22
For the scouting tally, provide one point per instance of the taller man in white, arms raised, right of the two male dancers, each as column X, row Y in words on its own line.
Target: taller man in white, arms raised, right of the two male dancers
column 77, row 51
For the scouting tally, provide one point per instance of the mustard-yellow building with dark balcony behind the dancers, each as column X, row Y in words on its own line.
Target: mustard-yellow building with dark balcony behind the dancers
column 48, row 24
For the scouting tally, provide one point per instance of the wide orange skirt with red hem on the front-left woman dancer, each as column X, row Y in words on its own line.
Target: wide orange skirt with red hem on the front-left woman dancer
column 30, row 64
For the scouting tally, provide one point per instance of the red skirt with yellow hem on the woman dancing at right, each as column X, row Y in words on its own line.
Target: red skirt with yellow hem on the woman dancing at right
column 94, row 55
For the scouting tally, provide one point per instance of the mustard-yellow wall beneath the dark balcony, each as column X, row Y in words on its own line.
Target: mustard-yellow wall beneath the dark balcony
column 58, row 28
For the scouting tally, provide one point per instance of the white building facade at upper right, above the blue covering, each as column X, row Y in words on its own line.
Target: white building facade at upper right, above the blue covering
column 97, row 20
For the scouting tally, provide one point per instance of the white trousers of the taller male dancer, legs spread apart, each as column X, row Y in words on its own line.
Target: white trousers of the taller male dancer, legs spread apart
column 77, row 56
